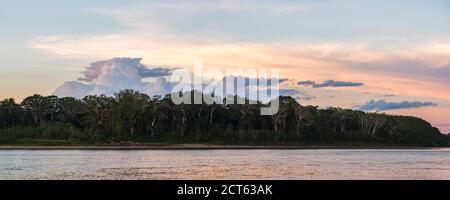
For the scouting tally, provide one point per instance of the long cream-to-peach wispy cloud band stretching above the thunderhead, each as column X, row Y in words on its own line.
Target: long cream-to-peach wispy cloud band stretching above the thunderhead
column 295, row 60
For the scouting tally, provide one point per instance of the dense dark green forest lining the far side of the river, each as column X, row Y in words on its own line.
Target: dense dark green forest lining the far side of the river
column 134, row 118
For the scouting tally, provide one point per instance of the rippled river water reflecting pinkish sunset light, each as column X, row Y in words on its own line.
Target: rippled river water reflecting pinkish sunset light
column 226, row 164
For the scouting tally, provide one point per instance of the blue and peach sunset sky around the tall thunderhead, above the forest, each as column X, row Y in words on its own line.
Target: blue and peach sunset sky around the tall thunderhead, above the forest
column 374, row 55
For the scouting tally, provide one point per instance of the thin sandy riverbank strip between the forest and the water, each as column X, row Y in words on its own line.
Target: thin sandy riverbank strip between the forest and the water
column 191, row 147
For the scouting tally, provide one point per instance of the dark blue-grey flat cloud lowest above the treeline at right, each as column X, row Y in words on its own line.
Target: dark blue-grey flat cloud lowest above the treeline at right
column 382, row 105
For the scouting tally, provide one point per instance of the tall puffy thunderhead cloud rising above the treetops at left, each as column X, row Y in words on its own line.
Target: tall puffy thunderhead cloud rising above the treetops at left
column 110, row 76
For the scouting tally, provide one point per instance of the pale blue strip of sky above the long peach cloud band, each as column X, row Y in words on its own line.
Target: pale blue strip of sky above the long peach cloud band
column 320, row 20
